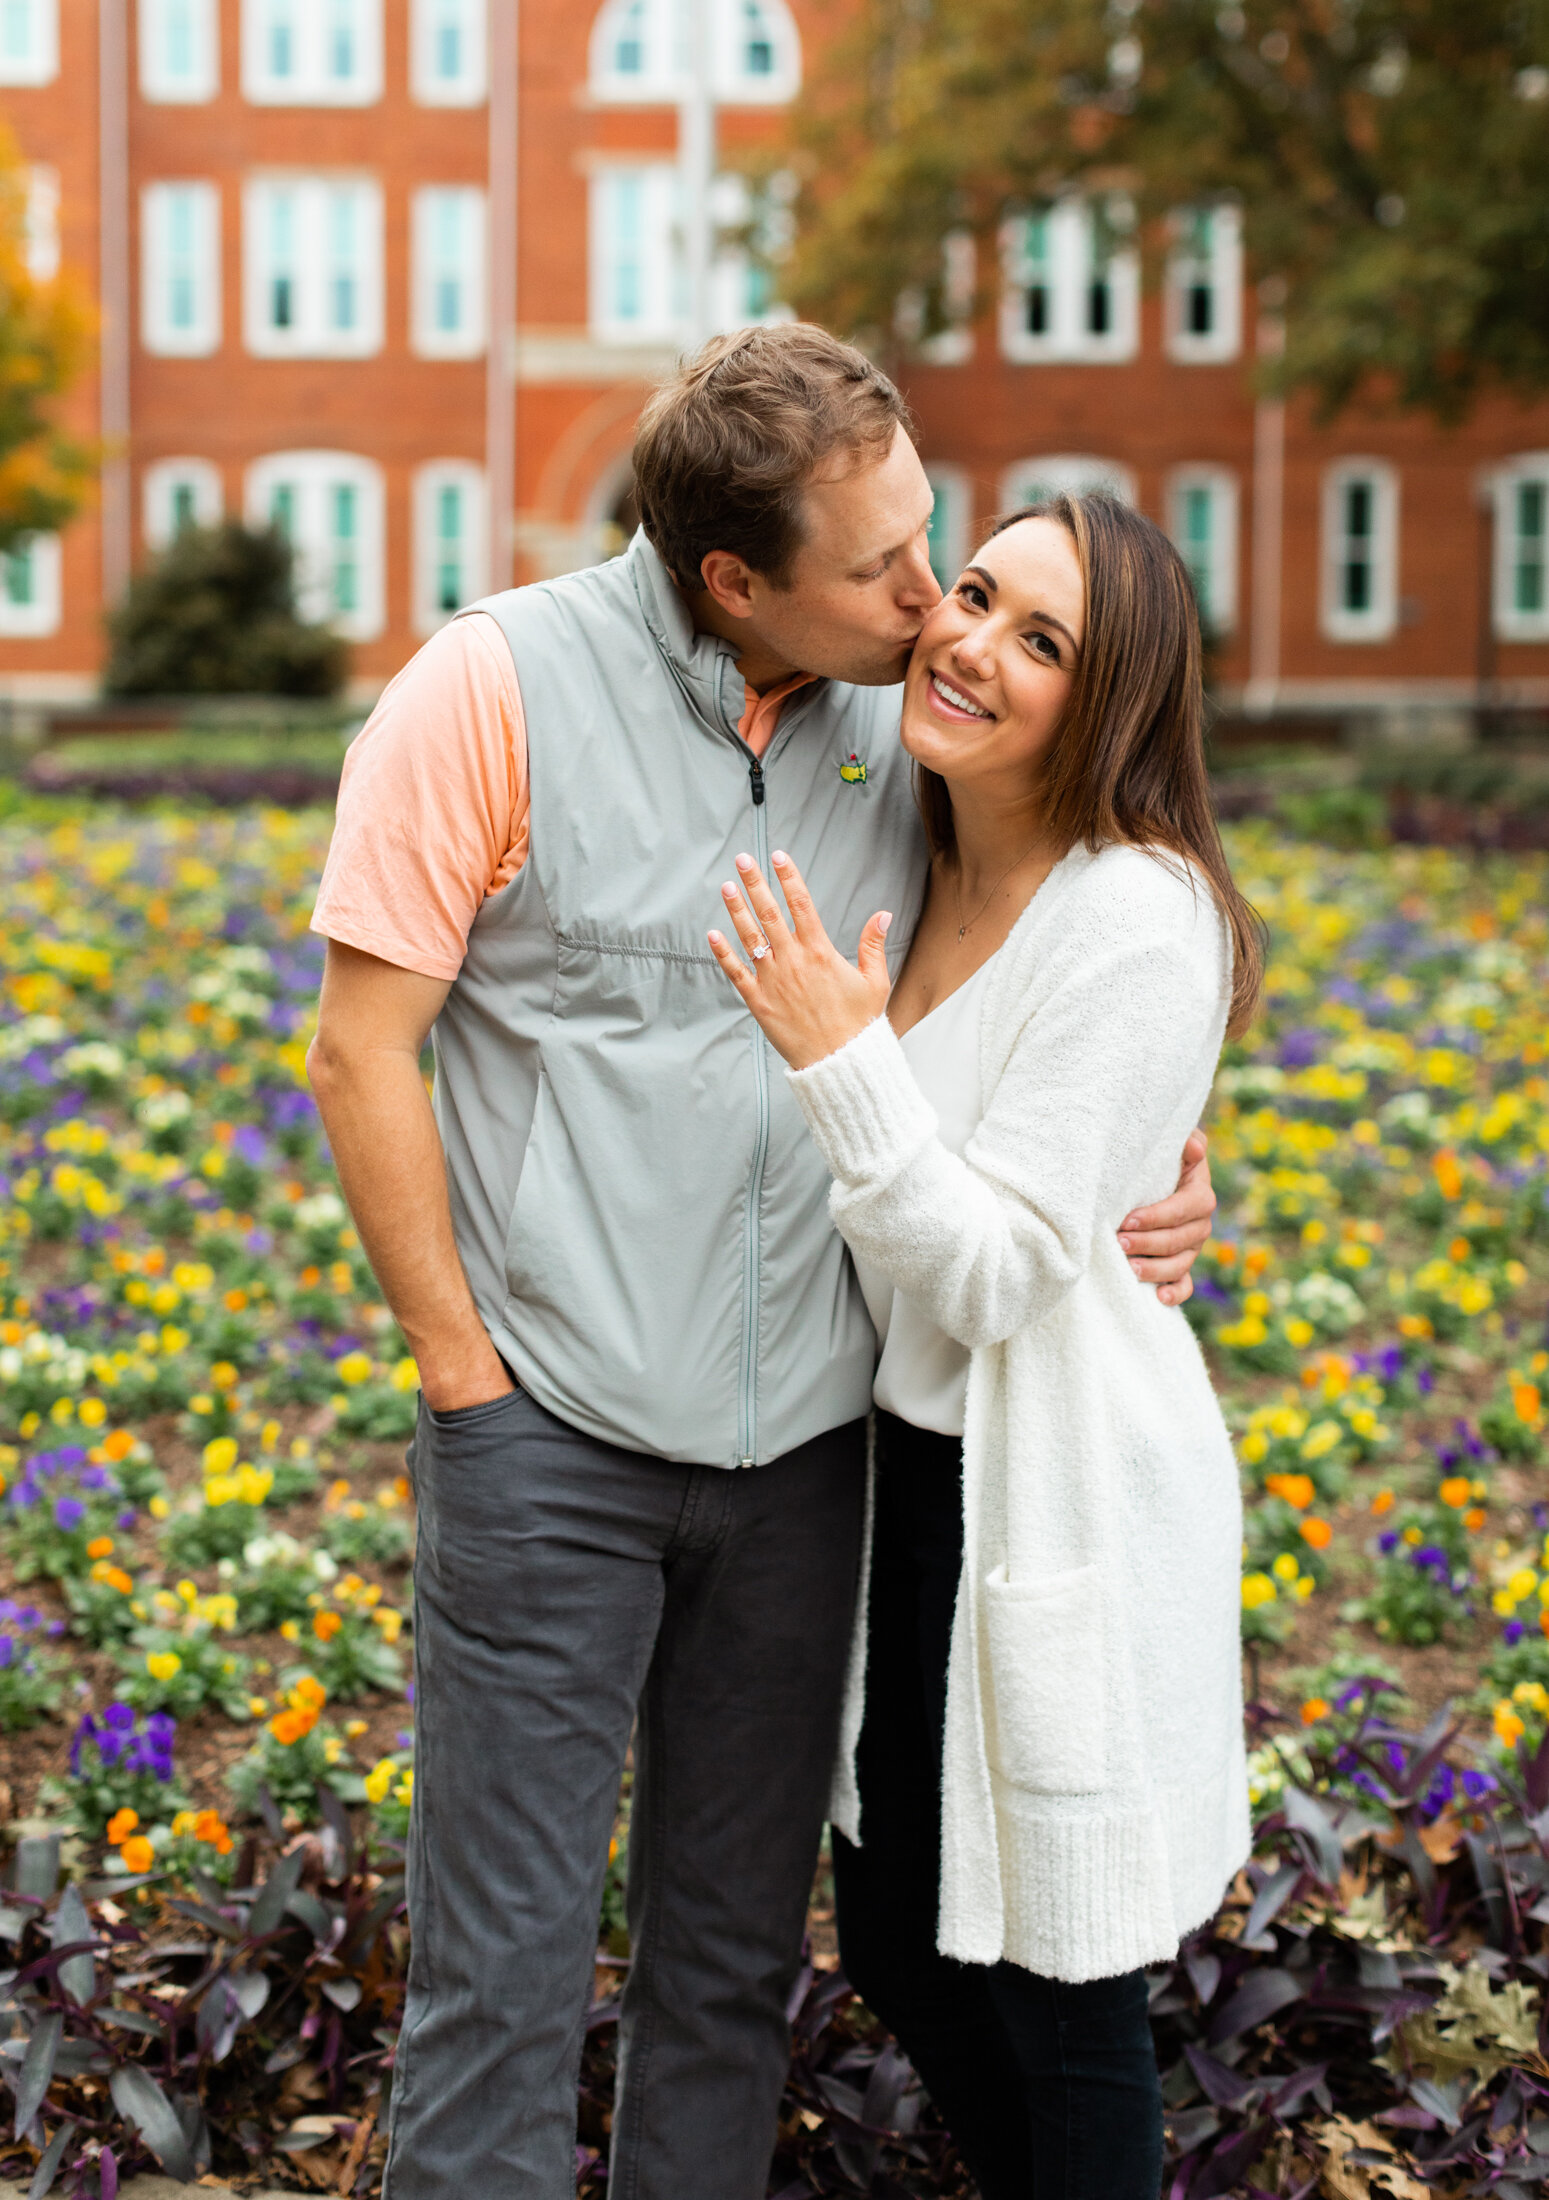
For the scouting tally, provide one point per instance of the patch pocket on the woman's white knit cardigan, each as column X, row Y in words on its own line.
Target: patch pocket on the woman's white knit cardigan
column 1046, row 1642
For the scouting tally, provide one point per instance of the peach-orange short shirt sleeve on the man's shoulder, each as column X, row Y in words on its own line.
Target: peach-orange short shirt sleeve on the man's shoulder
column 432, row 806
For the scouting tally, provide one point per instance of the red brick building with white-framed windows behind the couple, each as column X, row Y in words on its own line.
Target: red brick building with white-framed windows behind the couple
column 399, row 272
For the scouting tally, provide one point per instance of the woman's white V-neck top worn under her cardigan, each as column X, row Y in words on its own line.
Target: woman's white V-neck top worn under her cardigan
column 923, row 1374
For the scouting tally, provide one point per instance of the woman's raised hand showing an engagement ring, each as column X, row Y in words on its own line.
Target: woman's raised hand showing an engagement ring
column 800, row 989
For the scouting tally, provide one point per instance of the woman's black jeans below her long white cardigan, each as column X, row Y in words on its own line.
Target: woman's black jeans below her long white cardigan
column 1051, row 2091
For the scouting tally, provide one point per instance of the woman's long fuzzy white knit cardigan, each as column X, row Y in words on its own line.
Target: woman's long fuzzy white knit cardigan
column 1095, row 1792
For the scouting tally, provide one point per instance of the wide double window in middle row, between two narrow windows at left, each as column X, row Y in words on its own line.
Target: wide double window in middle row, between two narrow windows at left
column 314, row 252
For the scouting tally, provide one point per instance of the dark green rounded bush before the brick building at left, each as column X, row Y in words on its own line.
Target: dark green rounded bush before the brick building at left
column 215, row 615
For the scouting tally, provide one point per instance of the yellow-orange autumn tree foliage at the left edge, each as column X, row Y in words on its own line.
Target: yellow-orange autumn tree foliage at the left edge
column 45, row 344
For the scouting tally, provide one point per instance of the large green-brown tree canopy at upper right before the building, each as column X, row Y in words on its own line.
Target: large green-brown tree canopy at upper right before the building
column 1392, row 162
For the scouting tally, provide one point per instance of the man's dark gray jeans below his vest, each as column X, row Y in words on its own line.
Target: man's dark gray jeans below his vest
column 562, row 1589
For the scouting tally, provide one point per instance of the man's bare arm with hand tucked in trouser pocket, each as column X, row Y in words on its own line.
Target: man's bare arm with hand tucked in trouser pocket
column 364, row 1068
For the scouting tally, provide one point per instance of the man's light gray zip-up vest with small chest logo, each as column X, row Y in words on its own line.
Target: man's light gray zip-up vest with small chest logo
column 637, row 1202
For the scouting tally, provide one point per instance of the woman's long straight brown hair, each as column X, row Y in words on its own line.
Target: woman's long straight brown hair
column 1130, row 758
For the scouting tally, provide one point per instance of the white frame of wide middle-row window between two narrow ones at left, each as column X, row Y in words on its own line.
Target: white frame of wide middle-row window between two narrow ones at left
column 314, row 223
